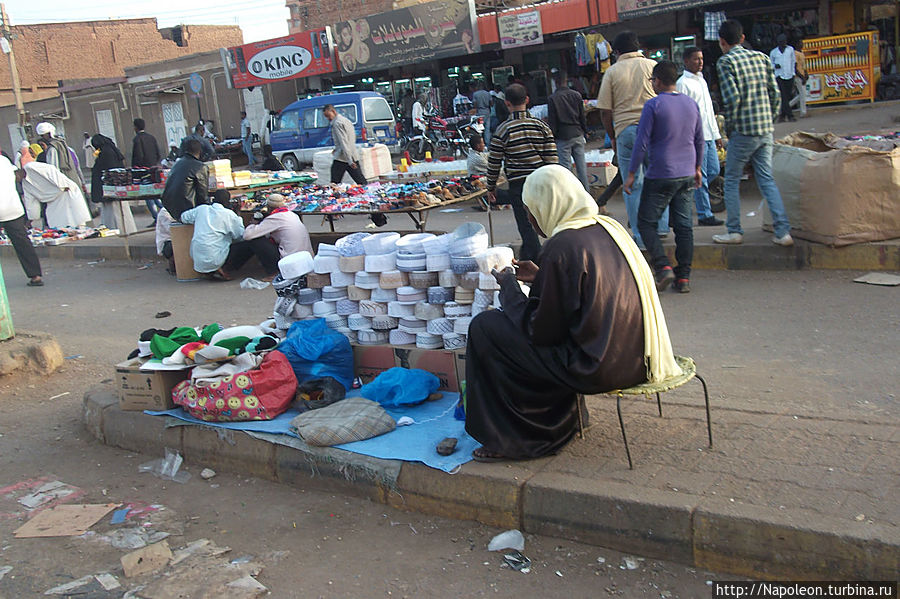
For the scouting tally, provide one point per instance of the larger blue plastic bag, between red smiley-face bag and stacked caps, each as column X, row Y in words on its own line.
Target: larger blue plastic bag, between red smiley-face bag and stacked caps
column 315, row 351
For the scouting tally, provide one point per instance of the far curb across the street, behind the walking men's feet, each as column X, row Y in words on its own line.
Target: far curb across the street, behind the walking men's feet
column 707, row 256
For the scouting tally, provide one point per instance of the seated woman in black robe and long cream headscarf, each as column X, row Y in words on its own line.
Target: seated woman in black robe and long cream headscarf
column 580, row 329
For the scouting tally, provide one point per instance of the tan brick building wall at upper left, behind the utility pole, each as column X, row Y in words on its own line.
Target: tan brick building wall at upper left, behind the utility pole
column 47, row 53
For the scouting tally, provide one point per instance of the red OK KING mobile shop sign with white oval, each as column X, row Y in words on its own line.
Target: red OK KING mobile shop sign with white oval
column 299, row 55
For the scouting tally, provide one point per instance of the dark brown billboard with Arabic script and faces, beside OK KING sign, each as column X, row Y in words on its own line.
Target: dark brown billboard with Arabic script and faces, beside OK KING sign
column 409, row 35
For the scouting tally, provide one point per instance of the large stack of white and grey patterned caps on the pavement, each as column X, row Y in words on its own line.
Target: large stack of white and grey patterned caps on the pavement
column 420, row 289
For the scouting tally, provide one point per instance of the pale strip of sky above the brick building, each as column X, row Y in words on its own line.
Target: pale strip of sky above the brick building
column 259, row 19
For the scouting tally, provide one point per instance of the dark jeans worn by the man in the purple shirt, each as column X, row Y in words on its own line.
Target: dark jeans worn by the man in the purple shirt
column 658, row 195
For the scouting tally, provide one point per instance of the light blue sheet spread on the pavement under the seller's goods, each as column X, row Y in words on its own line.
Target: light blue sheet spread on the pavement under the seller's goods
column 434, row 421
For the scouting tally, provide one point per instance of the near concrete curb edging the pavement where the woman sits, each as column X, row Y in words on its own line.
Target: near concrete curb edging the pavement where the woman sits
column 715, row 535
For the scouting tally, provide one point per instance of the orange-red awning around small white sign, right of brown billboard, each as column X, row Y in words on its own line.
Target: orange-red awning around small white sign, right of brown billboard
column 556, row 17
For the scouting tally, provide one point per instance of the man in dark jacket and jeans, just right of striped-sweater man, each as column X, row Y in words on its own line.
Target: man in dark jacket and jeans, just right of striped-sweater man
column 565, row 113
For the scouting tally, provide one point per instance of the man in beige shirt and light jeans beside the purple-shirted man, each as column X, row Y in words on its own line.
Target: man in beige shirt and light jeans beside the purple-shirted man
column 624, row 90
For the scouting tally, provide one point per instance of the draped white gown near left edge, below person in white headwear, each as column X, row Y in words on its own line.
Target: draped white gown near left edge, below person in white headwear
column 44, row 183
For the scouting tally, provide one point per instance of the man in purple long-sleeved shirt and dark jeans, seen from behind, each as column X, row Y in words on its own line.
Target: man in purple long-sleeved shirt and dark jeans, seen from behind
column 670, row 134
